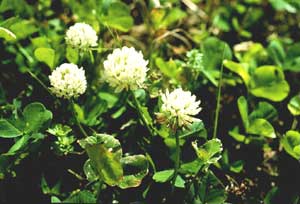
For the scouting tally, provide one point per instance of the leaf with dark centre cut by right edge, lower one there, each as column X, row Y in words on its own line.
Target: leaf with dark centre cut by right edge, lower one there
column 291, row 143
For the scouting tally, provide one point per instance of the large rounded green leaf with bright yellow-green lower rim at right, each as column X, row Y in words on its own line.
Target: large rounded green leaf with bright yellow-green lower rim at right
column 267, row 80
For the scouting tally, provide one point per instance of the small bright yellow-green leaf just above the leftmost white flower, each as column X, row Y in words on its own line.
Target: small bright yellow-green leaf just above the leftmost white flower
column 46, row 55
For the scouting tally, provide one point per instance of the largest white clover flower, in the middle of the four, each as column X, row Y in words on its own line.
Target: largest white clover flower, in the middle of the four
column 125, row 68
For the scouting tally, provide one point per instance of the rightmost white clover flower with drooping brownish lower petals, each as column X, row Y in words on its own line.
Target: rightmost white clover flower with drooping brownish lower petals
column 178, row 108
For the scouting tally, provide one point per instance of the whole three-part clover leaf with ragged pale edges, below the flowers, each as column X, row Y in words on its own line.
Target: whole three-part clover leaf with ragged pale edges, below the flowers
column 106, row 162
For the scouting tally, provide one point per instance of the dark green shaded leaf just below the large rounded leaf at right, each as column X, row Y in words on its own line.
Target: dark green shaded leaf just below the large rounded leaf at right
column 264, row 110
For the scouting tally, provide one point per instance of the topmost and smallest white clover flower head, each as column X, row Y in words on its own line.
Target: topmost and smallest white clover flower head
column 81, row 36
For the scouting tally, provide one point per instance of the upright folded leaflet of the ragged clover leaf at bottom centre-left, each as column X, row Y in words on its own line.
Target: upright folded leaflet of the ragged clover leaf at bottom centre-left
column 105, row 155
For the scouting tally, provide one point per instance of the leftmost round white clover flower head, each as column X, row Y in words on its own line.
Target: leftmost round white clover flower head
column 68, row 81
